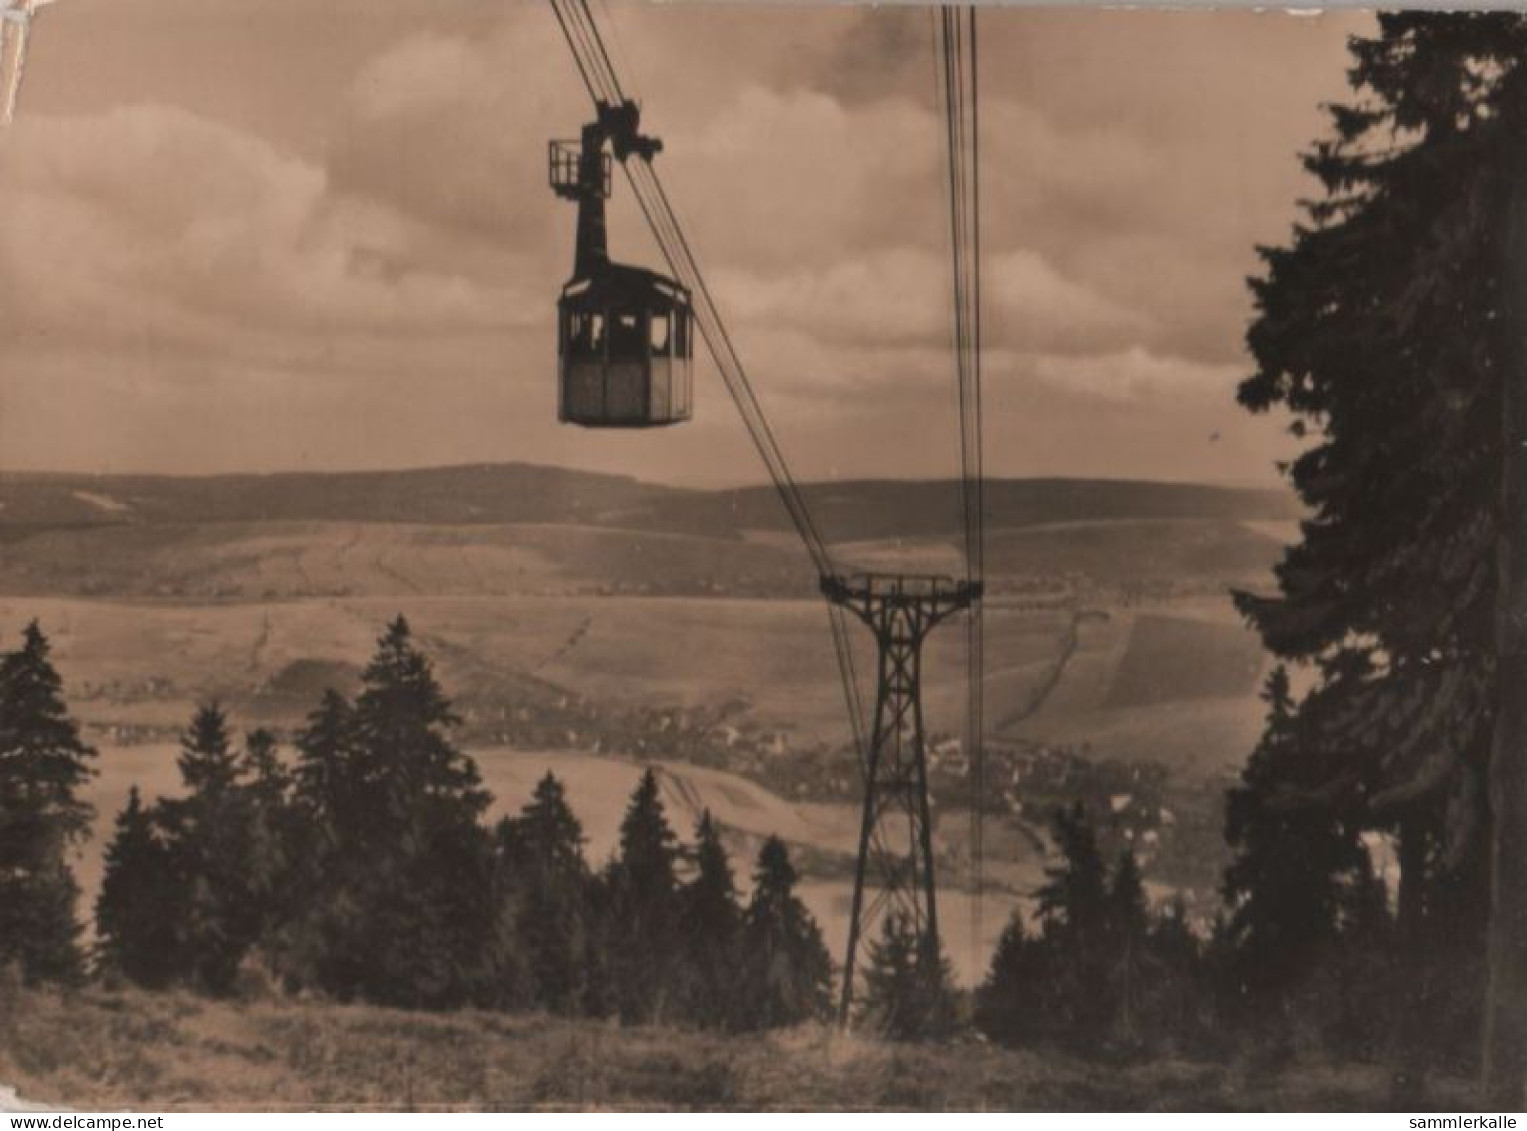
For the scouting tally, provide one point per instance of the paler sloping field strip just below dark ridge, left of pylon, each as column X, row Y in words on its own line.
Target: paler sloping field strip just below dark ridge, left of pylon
column 282, row 561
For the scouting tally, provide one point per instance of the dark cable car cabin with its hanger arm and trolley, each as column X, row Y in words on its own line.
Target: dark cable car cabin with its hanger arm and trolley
column 625, row 343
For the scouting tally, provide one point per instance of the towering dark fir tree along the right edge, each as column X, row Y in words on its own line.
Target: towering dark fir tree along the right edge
column 1387, row 329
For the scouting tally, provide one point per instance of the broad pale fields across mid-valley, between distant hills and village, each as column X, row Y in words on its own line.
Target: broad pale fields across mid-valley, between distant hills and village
column 1173, row 685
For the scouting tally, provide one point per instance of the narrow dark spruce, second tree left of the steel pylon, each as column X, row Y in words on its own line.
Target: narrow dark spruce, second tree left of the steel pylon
column 709, row 926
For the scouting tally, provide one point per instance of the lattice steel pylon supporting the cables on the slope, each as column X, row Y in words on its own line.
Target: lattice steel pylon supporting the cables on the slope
column 897, row 825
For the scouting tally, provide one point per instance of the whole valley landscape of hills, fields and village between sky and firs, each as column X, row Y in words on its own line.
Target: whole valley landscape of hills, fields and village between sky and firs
column 679, row 630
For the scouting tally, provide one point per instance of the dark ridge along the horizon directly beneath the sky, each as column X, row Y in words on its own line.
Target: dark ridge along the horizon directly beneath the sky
column 525, row 494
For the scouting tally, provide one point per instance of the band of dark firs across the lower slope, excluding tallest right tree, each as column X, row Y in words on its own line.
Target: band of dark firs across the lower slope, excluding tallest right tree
column 357, row 868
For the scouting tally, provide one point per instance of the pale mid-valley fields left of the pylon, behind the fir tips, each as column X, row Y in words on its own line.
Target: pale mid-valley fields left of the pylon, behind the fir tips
column 147, row 663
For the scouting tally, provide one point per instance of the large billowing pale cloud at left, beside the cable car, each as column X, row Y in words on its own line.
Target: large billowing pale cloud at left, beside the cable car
column 152, row 225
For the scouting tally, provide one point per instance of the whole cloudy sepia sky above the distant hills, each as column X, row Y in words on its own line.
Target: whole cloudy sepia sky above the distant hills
column 306, row 236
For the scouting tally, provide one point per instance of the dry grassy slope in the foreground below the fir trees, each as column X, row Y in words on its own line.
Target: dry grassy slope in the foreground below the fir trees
column 126, row 1049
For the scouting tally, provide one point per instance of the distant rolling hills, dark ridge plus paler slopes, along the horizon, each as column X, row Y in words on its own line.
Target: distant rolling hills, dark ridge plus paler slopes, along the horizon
column 517, row 529
